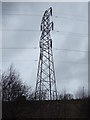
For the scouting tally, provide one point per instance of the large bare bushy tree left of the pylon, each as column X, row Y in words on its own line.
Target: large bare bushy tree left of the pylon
column 12, row 86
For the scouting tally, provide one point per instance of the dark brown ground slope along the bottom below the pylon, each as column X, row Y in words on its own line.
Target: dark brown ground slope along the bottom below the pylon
column 46, row 109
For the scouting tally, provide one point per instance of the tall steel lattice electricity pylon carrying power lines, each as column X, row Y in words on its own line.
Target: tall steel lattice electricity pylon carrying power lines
column 46, row 82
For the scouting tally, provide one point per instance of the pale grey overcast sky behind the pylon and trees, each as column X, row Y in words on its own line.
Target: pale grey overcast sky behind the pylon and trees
column 70, row 32
